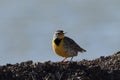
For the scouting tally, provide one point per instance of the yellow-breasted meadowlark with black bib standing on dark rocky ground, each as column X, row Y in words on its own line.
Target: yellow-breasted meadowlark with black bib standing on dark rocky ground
column 65, row 46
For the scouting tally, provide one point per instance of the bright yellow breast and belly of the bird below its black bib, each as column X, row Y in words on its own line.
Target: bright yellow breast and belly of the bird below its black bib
column 59, row 49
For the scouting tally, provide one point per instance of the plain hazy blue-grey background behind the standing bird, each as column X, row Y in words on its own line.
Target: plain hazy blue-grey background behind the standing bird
column 27, row 28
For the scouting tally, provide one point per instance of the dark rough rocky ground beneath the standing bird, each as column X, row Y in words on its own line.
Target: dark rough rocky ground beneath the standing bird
column 103, row 68
